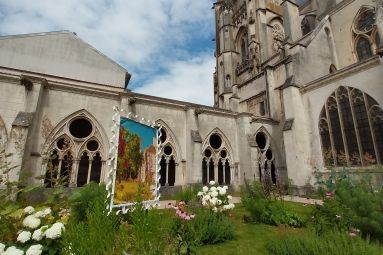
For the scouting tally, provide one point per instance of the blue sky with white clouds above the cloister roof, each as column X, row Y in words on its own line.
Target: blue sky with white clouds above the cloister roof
column 165, row 44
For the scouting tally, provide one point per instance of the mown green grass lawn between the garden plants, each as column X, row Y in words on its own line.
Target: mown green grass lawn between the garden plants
column 252, row 238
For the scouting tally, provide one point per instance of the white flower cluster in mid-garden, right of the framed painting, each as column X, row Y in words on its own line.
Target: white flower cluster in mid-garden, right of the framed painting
column 215, row 198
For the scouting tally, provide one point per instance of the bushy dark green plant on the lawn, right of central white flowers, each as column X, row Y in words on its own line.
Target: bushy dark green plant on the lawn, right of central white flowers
column 265, row 208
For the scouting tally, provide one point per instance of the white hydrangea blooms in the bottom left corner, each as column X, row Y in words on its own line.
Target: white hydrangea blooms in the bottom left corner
column 39, row 232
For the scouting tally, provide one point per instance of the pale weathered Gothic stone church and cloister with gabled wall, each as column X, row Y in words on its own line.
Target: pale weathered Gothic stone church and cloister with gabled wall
column 297, row 87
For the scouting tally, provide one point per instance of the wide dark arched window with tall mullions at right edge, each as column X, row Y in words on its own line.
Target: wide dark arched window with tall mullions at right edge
column 349, row 122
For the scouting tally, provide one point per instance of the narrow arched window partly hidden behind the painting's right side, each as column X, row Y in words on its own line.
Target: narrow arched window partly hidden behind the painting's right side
column 167, row 163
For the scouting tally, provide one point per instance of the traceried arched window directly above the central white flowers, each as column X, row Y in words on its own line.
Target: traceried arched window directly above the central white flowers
column 215, row 162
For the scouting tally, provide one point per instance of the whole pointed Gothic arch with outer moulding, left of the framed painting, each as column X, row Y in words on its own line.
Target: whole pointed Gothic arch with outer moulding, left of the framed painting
column 76, row 149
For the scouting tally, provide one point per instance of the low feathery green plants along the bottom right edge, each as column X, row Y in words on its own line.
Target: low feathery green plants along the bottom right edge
column 332, row 243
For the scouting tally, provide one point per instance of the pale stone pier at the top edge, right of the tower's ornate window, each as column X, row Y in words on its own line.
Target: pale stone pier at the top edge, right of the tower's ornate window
column 291, row 22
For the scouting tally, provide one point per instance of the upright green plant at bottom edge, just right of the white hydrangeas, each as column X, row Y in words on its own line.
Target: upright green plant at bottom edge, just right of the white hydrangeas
column 97, row 233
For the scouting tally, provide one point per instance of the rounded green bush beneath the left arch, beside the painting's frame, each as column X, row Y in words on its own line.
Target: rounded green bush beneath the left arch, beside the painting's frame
column 83, row 198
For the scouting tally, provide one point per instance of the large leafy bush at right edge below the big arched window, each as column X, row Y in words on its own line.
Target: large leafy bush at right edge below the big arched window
column 350, row 204
